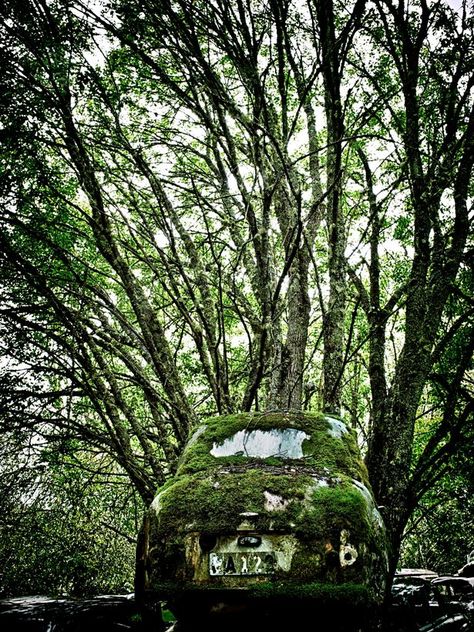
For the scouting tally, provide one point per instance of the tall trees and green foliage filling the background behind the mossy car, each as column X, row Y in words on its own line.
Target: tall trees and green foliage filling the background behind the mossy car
column 219, row 206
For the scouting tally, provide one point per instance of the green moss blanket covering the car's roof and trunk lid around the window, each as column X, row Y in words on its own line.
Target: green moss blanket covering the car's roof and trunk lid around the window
column 209, row 493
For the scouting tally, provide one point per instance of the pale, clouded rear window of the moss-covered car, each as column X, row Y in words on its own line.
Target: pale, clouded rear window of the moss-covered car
column 286, row 443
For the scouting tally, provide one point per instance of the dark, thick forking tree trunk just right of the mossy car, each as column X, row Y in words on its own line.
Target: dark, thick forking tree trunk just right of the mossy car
column 435, row 265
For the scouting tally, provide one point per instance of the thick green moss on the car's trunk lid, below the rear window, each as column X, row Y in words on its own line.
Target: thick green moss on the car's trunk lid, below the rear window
column 212, row 502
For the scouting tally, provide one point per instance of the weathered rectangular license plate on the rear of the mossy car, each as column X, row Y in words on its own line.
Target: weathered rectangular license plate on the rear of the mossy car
column 245, row 563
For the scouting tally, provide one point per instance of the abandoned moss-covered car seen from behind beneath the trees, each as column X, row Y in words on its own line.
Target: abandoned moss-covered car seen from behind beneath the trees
column 265, row 509
